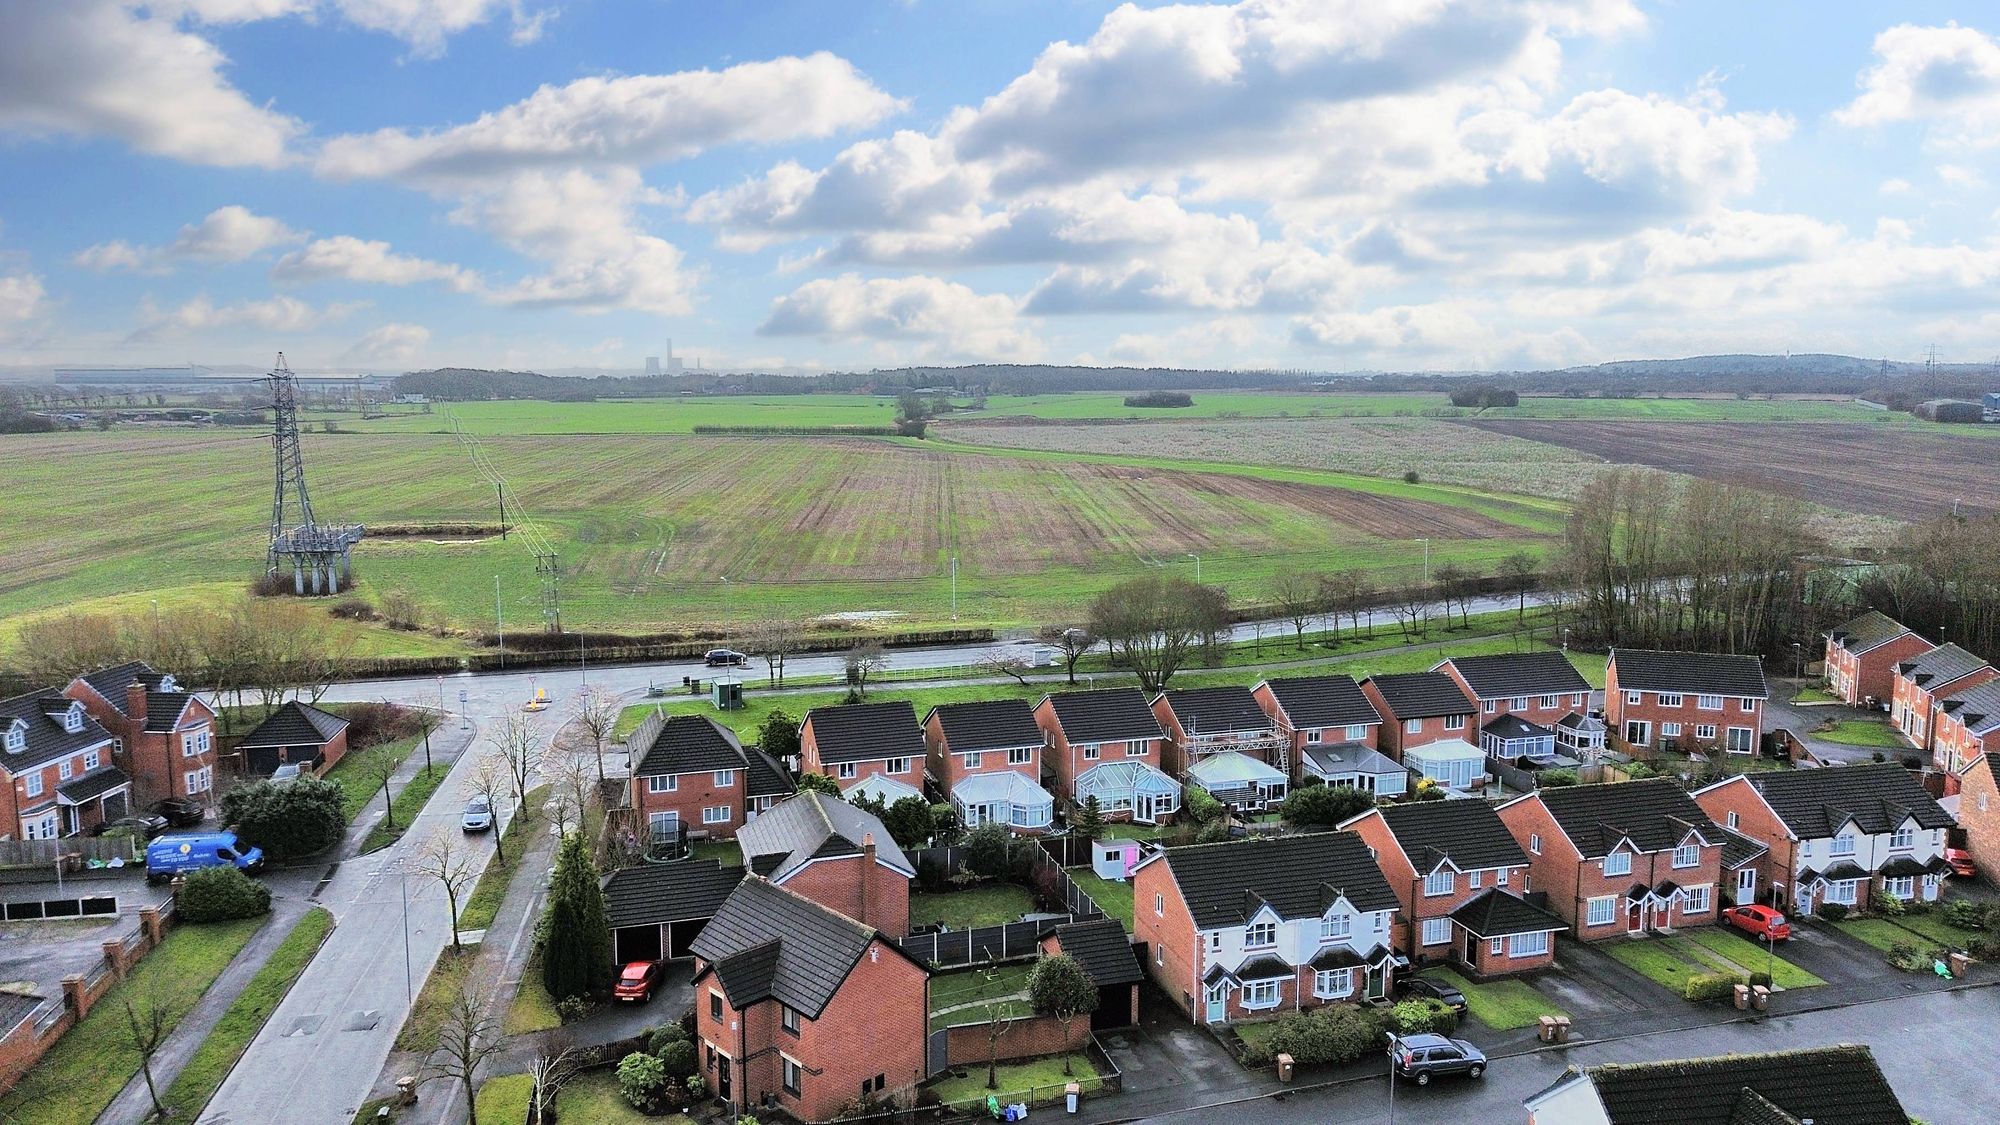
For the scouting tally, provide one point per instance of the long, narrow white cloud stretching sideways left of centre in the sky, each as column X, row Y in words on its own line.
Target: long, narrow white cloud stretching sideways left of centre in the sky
column 631, row 121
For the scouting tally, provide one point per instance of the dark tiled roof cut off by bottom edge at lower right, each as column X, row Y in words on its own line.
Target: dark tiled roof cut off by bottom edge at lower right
column 1827, row 1086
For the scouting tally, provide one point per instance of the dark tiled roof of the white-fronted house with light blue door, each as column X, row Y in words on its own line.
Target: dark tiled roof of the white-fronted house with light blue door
column 1297, row 876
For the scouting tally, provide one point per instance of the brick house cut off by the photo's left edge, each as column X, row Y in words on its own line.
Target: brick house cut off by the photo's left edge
column 59, row 770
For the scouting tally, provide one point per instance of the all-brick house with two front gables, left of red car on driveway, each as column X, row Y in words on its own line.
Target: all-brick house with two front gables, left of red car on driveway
column 1621, row 858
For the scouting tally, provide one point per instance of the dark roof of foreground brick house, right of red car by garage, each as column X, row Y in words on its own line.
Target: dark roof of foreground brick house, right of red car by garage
column 771, row 944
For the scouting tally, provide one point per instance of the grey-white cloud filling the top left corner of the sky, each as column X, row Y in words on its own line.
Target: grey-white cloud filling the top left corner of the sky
column 103, row 69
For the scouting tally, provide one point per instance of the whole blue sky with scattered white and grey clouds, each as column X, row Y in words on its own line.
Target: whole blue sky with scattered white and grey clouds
column 1329, row 185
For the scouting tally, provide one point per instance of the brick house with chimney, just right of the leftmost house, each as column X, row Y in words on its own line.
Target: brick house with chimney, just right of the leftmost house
column 165, row 738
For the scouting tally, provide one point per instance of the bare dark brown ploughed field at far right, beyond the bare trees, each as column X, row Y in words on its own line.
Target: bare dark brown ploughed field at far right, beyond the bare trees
column 1889, row 471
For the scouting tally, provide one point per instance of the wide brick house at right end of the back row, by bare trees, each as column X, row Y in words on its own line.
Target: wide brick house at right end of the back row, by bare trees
column 1685, row 702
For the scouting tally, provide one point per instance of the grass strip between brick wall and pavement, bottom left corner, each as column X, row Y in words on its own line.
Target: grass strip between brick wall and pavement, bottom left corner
column 89, row 1066
